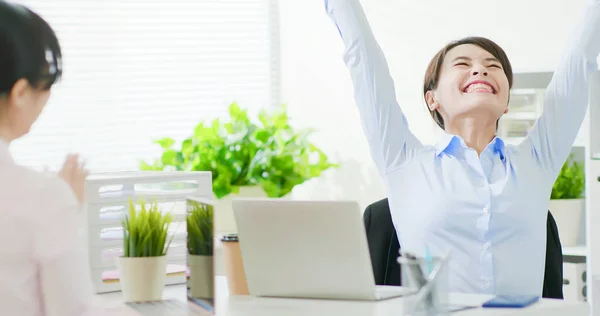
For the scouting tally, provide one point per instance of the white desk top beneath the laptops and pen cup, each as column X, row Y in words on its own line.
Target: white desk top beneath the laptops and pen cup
column 259, row 306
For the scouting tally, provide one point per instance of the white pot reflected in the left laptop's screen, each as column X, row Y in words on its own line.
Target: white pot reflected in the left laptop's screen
column 201, row 284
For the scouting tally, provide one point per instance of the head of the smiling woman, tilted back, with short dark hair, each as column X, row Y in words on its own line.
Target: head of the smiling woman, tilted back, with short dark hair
column 466, row 80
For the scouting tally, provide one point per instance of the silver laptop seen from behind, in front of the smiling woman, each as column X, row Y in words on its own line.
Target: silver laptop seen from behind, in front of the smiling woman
column 307, row 249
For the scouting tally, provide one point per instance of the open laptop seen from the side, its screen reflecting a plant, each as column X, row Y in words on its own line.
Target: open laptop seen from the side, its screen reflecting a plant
column 200, row 287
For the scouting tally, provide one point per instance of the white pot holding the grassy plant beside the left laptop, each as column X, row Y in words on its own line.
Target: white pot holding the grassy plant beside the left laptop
column 142, row 279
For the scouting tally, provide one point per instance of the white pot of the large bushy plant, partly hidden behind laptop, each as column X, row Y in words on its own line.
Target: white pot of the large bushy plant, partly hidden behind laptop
column 224, row 219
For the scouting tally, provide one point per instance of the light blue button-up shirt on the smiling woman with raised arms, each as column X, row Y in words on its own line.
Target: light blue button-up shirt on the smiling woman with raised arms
column 488, row 210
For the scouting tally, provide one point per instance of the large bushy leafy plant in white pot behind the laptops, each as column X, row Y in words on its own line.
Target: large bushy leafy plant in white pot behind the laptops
column 267, row 158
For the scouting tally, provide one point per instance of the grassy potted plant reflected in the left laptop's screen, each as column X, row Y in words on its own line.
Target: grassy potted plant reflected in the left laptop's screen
column 199, row 221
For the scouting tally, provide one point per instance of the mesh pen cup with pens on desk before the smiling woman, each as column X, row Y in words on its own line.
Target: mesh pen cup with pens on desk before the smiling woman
column 429, row 280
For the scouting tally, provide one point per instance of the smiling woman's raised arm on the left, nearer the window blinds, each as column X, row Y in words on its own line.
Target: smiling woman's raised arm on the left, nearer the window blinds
column 390, row 140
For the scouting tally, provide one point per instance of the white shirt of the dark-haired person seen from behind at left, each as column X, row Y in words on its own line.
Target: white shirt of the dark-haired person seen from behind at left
column 44, row 269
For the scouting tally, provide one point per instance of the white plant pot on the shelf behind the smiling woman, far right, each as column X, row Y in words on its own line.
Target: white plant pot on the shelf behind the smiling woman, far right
column 567, row 214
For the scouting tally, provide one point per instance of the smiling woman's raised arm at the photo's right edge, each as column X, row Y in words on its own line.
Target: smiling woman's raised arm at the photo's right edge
column 566, row 97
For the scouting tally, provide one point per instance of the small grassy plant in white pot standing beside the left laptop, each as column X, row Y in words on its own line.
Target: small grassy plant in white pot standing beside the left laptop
column 142, row 268
